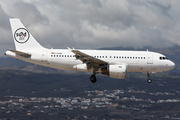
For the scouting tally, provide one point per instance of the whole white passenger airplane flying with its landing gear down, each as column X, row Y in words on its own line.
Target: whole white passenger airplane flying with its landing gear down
column 113, row 63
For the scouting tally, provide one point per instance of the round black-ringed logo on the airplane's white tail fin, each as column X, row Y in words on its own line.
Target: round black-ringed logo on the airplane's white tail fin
column 21, row 35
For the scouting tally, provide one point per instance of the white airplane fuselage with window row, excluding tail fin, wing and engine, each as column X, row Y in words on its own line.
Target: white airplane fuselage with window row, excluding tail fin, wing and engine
column 136, row 61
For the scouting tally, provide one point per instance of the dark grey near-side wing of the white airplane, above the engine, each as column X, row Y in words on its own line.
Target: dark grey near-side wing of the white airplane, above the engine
column 85, row 58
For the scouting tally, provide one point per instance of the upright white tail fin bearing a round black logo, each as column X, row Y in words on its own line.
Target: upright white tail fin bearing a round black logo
column 22, row 37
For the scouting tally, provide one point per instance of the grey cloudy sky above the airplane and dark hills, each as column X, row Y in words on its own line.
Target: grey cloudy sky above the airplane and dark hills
column 91, row 24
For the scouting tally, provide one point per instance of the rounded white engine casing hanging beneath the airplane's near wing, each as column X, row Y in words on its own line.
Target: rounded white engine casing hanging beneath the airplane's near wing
column 117, row 71
